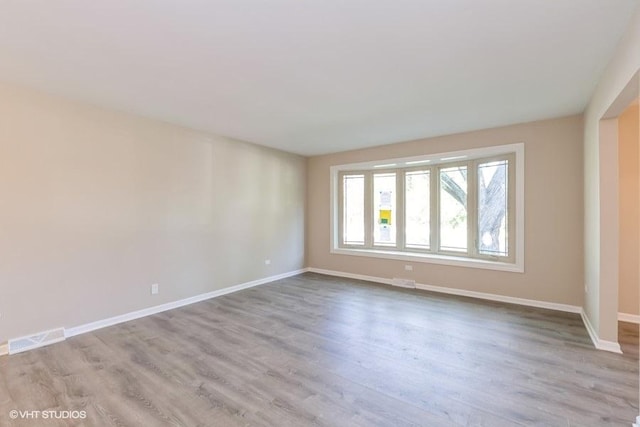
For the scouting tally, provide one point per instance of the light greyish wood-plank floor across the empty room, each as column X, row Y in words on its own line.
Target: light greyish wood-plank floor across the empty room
column 314, row 350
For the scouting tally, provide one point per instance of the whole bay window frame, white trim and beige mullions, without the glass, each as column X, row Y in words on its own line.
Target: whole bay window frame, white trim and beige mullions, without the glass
column 514, row 153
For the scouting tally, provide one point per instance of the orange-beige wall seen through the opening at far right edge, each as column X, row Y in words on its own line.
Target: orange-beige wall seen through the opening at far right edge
column 629, row 182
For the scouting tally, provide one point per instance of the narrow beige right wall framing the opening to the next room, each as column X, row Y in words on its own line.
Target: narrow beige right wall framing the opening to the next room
column 601, row 299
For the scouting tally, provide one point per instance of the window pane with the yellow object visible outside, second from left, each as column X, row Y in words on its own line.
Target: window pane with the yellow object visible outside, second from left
column 384, row 209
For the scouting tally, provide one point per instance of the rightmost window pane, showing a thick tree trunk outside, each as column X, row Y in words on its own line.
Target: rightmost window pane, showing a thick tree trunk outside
column 492, row 208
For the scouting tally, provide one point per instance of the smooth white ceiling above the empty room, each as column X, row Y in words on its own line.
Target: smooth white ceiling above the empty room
column 317, row 76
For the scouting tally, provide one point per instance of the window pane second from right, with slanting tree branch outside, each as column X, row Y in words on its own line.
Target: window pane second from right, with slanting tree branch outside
column 453, row 209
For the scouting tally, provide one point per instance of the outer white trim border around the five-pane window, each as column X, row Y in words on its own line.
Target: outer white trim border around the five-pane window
column 518, row 264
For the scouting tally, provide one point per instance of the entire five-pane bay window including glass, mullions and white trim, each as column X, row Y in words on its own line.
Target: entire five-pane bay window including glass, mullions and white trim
column 450, row 208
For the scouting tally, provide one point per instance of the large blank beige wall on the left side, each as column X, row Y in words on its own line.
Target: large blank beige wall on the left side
column 95, row 206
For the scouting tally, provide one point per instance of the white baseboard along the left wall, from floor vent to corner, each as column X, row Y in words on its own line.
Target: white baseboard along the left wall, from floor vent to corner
column 88, row 327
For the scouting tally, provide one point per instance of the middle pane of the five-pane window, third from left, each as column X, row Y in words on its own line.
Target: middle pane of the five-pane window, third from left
column 417, row 213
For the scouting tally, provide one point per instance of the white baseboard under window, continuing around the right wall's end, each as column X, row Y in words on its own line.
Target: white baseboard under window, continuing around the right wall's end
column 611, row 346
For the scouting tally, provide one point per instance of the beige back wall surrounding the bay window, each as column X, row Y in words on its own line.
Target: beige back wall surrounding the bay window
column 553, row 214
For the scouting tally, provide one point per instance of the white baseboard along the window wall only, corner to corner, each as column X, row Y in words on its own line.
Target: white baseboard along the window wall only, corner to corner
column 459, row 292
